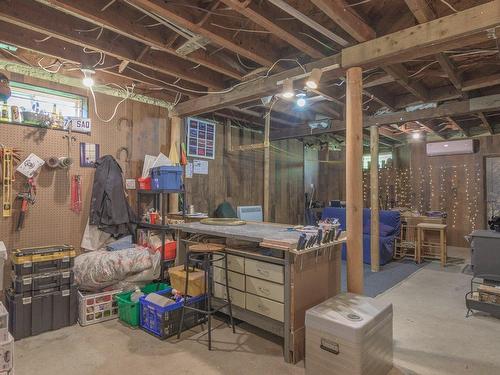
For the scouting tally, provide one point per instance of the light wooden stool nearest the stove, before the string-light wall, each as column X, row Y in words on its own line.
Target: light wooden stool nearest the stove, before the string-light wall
column 428, row 249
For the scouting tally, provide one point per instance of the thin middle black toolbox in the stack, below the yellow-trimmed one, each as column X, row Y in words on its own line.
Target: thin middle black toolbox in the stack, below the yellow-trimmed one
column 39, row 282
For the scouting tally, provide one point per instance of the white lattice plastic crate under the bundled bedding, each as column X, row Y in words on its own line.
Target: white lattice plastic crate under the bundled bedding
column 97, row 307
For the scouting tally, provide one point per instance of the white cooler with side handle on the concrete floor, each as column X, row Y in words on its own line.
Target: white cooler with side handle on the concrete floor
column 349, row 335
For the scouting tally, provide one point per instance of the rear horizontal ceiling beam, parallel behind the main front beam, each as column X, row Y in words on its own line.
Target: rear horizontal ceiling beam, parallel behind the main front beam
column 458, row 108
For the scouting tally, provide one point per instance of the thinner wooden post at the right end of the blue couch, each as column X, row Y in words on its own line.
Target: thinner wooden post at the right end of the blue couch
column 374, row 230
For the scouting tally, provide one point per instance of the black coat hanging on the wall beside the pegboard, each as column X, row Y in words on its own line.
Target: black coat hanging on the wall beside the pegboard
column 109, row 208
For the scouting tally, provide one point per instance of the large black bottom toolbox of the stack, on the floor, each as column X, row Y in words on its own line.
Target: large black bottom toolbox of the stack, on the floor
column 48, row 311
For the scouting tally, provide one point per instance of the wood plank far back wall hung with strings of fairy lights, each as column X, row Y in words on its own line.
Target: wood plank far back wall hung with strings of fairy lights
column 427, row 173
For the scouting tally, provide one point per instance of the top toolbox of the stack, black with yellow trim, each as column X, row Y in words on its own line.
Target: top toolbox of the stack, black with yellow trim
column 44, row 259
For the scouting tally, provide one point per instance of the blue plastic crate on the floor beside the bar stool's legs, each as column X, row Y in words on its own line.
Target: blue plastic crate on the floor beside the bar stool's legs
column 163, row 322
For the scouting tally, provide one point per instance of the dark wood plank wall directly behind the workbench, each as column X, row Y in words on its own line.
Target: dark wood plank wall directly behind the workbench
column 237, row 176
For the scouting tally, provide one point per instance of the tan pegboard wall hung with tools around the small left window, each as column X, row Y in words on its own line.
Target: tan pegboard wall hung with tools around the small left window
column 142, row 128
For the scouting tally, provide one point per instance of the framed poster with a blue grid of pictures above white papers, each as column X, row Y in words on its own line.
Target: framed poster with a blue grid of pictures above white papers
column 200, row 138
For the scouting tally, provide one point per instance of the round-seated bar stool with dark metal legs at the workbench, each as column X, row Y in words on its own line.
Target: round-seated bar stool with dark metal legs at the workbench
column 205, row 254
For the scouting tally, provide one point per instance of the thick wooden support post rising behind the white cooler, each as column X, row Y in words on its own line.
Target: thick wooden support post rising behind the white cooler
column 354, row 179
